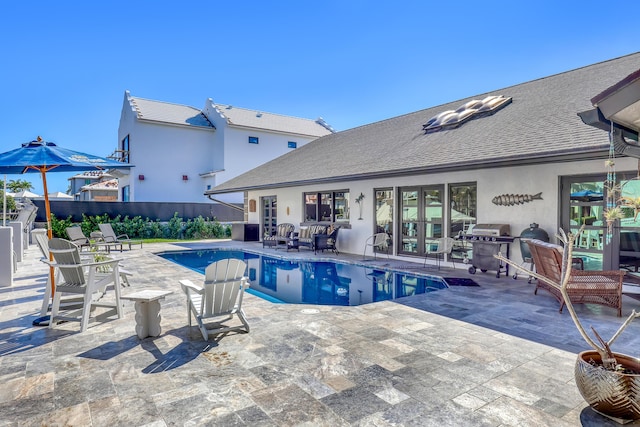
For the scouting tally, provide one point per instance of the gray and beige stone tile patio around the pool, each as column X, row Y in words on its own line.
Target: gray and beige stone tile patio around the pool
column 493, row 355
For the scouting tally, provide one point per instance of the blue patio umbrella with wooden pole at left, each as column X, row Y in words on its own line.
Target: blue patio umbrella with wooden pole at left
column 41, row 157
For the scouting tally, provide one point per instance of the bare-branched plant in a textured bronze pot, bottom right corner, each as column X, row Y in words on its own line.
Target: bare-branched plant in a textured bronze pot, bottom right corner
column 608, row 381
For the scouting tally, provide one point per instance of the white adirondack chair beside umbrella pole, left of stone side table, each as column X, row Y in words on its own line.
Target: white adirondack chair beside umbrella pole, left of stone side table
column 87, row 279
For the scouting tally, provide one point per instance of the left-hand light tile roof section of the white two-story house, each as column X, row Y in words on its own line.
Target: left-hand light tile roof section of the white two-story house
column 166, row 112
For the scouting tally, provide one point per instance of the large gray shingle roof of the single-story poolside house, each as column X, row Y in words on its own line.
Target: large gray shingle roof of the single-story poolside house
column 541, row 122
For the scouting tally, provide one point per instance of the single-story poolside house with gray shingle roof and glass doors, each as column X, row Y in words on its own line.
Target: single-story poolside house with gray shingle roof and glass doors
column 515, row 156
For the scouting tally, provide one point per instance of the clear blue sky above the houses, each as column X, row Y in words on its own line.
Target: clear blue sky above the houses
column 66, row 64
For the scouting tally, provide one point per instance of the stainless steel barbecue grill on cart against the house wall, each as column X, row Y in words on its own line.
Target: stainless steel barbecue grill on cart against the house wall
column 488, row 240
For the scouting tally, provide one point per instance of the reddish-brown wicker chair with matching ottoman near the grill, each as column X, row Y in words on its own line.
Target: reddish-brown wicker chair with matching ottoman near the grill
column 594, row 287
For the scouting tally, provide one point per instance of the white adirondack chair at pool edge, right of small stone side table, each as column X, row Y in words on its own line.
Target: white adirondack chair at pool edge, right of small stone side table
column 224, row 286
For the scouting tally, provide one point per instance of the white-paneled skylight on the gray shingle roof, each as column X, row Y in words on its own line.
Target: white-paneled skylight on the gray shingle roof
column 473, row 109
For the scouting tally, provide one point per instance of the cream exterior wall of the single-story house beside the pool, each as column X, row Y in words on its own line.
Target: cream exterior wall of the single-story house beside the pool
column 490, row 183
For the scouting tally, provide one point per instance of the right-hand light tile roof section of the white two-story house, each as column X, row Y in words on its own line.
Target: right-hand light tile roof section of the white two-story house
column 275, row 122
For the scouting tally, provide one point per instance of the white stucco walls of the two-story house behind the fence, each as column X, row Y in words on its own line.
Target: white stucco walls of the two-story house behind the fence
column 163, row 153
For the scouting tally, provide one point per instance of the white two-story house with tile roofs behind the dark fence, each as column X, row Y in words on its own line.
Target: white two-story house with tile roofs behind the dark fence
column 179, row 152
